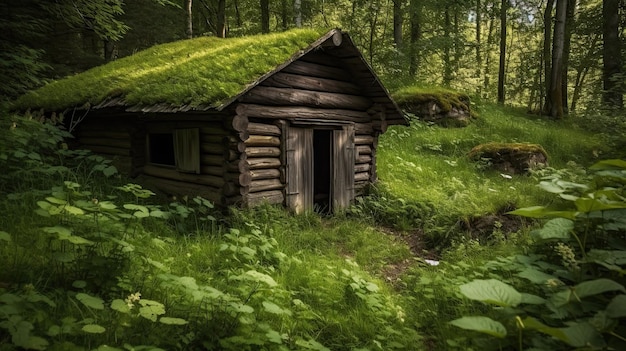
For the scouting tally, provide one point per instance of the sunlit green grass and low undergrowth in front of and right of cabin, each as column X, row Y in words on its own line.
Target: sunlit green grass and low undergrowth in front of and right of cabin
column 260, row 279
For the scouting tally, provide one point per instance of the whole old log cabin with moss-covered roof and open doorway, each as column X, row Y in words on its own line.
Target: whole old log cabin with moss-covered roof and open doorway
column 288, row 118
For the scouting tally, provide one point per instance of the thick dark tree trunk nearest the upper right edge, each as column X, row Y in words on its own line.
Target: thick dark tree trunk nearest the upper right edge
column 612, row 79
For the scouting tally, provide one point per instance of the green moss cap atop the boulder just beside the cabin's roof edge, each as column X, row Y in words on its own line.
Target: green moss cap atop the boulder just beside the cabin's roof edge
column 445, row 98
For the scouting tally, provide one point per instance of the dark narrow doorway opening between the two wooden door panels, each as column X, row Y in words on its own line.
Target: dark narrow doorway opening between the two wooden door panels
column 322, row 170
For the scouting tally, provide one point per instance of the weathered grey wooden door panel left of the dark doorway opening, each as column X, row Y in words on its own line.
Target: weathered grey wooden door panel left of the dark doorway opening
column 299, row 169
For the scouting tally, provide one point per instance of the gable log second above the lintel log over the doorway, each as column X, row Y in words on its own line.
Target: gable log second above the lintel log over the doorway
column 286, row 80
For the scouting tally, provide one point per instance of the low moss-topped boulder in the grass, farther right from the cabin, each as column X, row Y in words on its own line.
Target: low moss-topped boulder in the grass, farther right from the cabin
column 512, row 158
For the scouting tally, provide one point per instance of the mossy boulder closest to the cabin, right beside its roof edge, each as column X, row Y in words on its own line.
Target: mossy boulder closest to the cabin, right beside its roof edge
column 444, row 107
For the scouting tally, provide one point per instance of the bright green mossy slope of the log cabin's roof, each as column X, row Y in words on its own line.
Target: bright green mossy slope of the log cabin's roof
column 200, row 71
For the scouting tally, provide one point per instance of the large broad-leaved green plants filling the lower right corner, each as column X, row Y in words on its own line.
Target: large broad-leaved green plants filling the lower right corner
column 573, row 276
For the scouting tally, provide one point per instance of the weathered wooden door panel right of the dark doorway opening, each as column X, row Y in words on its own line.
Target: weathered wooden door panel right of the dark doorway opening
column 343, row 167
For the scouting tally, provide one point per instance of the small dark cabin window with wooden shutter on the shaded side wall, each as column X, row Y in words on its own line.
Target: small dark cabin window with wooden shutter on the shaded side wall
column 180, row 149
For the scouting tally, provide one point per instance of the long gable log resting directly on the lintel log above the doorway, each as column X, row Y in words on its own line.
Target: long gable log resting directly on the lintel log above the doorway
column 298, row 97
